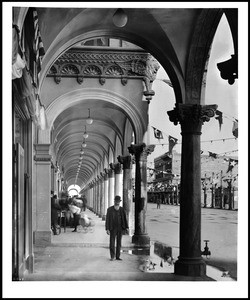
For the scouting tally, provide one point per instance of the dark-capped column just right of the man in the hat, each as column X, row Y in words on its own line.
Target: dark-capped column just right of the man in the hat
column 140, row 237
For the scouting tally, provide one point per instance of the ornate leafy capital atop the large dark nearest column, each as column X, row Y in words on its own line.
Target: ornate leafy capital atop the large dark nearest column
column 191, row 116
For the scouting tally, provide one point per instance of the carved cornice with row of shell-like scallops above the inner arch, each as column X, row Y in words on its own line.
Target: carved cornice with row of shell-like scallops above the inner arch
column 104, row 64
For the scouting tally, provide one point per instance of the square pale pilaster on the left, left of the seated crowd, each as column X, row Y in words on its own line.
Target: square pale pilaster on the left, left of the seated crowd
column 42, row 235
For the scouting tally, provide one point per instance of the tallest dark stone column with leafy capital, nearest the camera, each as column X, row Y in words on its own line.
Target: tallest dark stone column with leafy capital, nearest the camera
column 191, row 118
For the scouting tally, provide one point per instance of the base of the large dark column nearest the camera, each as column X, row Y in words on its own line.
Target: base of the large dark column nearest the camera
column 190, row 267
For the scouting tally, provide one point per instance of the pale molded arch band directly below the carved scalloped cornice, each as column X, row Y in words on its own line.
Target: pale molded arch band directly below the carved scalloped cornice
column 76, row 96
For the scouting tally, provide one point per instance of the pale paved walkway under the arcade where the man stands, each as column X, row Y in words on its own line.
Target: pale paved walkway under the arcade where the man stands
column 84, row 256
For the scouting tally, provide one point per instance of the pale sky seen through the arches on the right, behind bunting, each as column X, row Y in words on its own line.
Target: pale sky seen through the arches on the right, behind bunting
column 218, row 91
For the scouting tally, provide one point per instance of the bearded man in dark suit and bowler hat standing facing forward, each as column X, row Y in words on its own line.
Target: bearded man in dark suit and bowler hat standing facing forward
column 116, row 222
